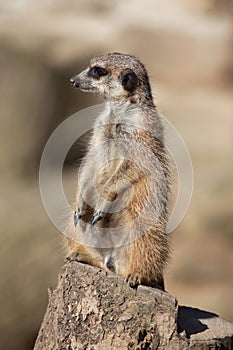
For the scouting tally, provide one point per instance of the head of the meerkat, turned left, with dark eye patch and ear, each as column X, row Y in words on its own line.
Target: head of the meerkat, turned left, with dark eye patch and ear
column 116, row 76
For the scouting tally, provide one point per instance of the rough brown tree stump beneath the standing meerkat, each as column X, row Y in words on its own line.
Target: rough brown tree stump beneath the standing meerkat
column 93, row 310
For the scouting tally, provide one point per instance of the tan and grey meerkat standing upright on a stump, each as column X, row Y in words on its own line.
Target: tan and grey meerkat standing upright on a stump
column 120, row 215
